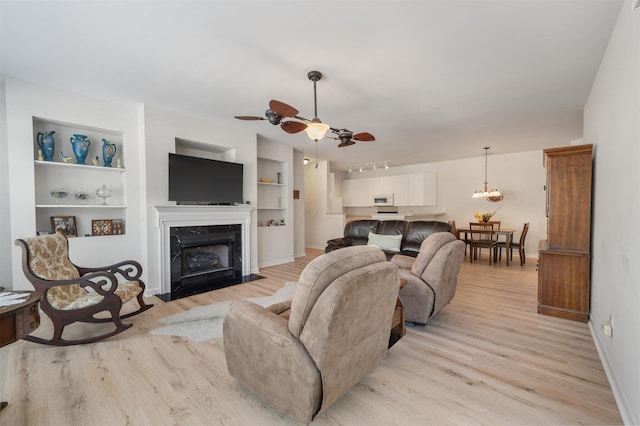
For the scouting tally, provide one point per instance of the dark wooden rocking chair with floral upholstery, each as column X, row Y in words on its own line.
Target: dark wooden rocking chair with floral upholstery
column 76, row 294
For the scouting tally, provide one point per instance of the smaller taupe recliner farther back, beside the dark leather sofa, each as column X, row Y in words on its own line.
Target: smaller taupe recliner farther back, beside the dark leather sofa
column 431, row 277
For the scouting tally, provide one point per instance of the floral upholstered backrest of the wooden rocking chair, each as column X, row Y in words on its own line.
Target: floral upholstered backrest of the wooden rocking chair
column 48, row 258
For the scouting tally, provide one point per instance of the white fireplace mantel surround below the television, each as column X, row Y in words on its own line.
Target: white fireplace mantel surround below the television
column 177, row 216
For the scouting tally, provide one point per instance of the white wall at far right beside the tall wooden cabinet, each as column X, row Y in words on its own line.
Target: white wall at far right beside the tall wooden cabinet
column 612, row 124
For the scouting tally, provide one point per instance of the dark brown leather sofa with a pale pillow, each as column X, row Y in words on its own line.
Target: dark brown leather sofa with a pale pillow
column 413, row 233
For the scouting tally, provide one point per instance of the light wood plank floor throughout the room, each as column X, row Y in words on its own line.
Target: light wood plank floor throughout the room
column 487, row 358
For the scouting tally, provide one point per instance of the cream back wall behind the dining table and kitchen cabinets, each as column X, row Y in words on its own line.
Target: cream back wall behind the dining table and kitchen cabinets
column 520, row 177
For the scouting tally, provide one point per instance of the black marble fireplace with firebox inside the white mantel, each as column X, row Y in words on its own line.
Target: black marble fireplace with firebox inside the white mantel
column 204, row 258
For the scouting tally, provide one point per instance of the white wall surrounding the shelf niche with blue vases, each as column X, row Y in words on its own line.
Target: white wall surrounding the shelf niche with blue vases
column 23, row 102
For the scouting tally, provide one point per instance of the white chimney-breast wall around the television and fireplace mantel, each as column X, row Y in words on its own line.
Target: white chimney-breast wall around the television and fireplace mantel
column 161, row 128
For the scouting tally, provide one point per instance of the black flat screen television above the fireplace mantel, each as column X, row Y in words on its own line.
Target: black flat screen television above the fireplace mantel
column 194, row 180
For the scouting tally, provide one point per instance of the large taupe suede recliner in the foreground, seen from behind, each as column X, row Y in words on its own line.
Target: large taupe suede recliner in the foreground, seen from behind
column 302, row 356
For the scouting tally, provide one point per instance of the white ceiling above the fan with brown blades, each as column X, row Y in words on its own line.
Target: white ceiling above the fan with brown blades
column 433, row 80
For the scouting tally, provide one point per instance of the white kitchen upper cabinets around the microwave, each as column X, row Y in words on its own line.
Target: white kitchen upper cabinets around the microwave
column 415, row 189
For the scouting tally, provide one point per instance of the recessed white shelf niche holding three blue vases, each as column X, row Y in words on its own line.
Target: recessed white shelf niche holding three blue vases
column 78, row 173
